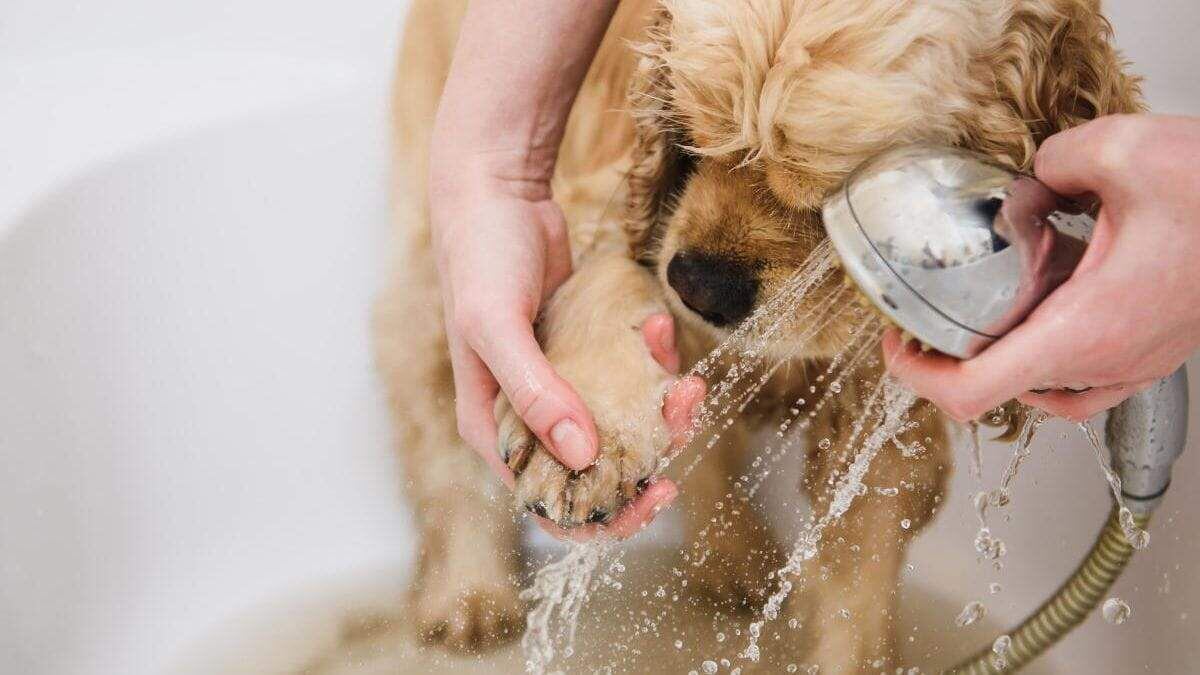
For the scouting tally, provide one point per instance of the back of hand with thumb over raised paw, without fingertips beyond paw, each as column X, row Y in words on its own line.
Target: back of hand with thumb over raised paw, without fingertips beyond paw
column 502, row 250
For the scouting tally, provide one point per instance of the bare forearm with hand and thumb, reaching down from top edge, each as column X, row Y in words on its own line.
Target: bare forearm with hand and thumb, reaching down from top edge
column 500, row 240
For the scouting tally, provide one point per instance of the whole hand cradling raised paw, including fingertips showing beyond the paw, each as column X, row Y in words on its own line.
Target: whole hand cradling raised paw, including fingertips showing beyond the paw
column 495, row 282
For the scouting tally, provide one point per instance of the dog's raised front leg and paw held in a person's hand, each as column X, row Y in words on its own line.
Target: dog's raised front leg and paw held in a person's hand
column 591, row 332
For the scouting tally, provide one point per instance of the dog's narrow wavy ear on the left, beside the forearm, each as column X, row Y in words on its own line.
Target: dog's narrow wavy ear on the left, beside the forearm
column 661, row 168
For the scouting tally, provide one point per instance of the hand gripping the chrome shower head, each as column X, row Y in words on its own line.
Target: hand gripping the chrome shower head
column 1129, row 316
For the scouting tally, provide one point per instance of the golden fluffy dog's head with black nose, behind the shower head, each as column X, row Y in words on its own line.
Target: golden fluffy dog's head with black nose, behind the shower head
column 748, row 114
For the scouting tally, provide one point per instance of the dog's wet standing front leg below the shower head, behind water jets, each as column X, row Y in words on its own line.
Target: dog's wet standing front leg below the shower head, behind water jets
column 849, row 589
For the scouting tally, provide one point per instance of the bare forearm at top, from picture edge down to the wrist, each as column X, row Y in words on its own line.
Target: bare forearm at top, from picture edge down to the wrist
column 517, row 70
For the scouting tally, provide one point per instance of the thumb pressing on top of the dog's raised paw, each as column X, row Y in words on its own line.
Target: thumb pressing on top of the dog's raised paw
column 544, row 401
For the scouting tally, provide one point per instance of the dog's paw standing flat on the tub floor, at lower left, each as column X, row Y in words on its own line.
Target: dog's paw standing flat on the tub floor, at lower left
column 469, row 617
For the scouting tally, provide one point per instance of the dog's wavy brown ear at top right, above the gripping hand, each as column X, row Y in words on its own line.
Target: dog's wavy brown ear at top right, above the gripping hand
column 1054, row 68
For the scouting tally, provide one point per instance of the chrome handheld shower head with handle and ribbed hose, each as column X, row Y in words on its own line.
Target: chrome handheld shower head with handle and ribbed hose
column 958, row 250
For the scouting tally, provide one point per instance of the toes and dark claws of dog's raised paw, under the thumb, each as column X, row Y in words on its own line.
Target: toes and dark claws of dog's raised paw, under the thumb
column 572, row 499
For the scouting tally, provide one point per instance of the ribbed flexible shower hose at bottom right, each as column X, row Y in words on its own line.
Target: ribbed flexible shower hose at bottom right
column 1067, row 608
